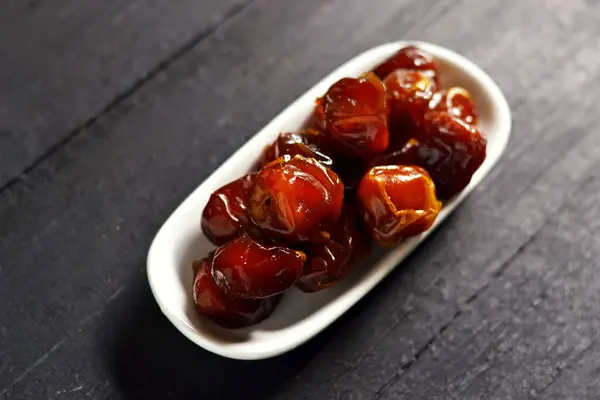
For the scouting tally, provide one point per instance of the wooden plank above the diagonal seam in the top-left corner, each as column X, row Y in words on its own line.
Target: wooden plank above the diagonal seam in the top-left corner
column 66, row 62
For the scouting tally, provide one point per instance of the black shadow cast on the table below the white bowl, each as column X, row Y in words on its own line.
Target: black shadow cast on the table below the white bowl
column 148, row 357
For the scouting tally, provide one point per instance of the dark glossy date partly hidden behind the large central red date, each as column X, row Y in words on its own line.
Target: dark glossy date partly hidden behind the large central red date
column 308, row 143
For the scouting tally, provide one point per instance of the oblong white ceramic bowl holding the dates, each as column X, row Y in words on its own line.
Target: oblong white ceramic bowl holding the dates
column 301, row 316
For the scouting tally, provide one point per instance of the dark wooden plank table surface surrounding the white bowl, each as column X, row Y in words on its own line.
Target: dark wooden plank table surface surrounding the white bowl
column 112, row 111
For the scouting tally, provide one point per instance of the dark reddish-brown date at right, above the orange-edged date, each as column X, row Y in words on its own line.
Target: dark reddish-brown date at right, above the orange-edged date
column 451, row 152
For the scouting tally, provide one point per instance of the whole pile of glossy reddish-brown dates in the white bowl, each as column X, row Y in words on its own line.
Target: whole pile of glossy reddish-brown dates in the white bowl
column 379, row 156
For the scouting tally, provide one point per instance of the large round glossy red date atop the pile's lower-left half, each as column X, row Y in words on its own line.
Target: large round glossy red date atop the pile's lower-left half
column 295, row 199
